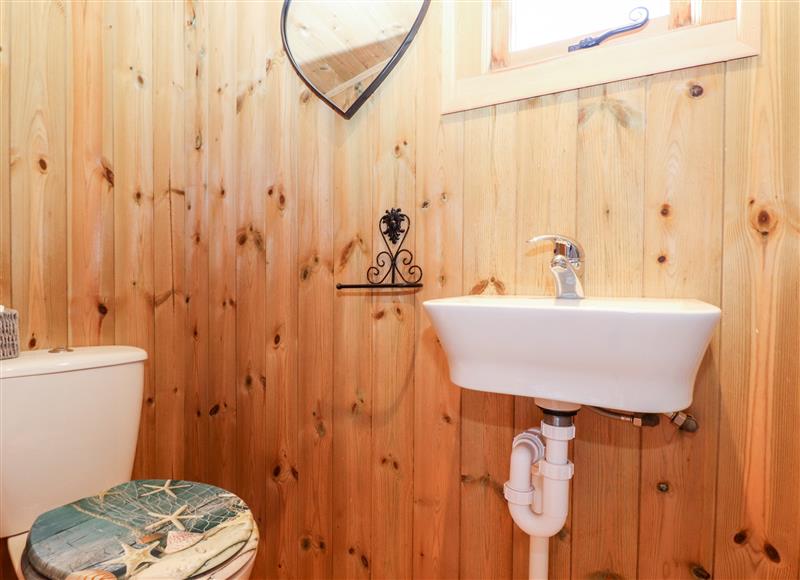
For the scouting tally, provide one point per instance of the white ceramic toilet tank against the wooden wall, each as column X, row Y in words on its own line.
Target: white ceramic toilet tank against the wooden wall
column 69, row 421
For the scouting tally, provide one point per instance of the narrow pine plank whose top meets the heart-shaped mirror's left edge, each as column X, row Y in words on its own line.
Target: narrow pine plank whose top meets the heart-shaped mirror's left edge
column 282, row 314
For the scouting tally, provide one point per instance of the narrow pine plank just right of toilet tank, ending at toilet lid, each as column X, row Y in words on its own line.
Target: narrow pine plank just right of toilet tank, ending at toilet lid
column 168, row 237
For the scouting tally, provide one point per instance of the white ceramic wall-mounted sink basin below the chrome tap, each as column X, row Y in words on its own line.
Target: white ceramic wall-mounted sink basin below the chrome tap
column 630, row 354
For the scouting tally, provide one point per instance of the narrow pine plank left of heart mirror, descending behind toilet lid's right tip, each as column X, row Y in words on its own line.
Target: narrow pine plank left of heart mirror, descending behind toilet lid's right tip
column 253, row 102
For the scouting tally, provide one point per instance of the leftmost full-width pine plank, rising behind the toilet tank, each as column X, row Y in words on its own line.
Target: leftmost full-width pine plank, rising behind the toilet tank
column 38, row 172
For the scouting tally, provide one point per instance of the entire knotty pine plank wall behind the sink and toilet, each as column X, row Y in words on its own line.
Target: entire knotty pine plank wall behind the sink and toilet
column 167, row 181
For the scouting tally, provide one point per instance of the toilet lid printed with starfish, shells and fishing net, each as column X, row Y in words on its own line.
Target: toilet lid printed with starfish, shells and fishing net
column 151, row 528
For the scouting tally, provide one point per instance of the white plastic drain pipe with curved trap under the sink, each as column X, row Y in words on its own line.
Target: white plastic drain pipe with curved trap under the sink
column 538, row 488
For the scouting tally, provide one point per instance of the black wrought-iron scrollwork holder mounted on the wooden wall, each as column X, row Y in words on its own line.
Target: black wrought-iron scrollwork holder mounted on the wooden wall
column 394, row 267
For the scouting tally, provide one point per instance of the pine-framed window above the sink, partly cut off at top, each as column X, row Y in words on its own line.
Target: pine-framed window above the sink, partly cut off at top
column 496, row 51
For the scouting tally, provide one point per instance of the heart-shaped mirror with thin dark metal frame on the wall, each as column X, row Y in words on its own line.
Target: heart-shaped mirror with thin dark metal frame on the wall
column 344, row 49
